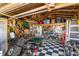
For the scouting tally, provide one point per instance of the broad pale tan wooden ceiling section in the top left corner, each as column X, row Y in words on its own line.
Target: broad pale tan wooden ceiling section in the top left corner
column 11, row 7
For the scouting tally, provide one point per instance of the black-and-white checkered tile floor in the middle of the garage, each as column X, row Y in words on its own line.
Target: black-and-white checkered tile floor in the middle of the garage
column 51, row 49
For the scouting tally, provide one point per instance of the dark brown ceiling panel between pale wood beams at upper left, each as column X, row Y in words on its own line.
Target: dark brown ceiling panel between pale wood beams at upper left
column 25, row 8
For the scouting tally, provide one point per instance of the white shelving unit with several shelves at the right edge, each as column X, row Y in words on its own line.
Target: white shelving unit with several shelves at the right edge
column 74, row 32
